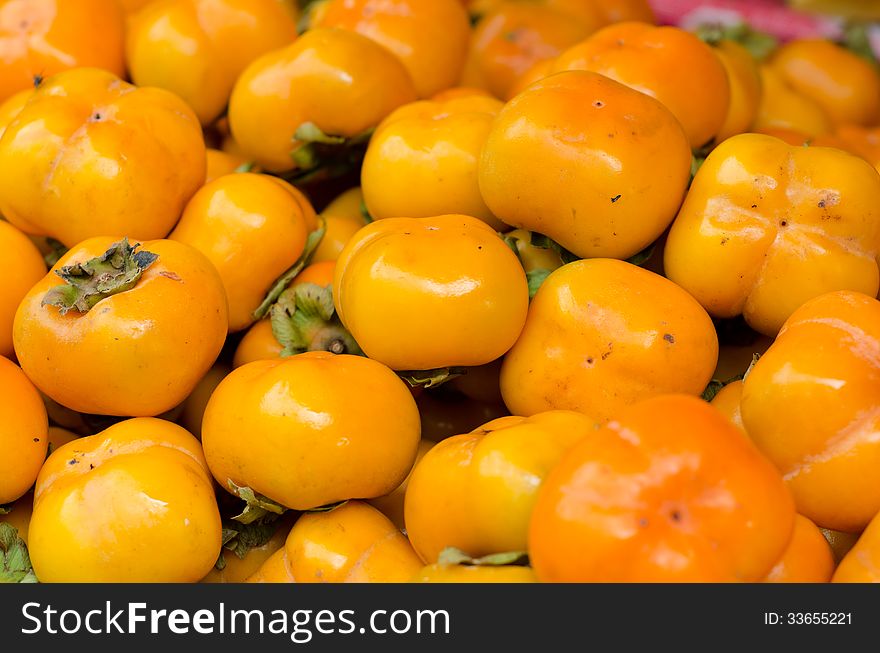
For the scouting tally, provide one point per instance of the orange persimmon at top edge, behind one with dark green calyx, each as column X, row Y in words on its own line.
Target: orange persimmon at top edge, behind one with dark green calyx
column 430, row 38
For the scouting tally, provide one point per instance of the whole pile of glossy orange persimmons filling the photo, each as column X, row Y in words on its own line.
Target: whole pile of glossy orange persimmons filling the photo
column 409, row 291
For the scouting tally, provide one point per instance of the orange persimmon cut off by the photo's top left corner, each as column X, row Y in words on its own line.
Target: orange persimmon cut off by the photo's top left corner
column 39, row 38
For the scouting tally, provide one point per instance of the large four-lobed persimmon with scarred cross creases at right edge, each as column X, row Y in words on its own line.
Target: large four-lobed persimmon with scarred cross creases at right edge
column 767, row 226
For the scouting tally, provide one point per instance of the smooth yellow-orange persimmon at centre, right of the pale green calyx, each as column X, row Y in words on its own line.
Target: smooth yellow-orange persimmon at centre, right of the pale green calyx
column 428, row 293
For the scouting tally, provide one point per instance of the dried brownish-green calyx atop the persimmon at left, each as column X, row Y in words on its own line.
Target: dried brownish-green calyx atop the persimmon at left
column 85, row 284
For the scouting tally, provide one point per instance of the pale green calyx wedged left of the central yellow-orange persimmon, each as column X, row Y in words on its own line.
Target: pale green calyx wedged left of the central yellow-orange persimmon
column 304, row 319
